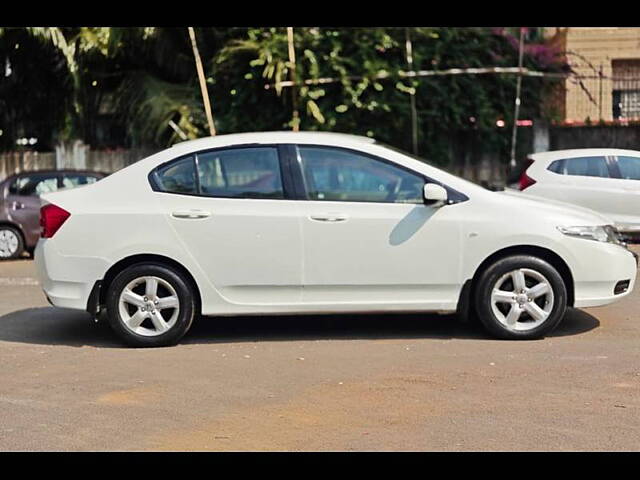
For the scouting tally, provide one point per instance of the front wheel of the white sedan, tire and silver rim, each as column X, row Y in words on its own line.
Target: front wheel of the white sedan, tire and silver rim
column 521, row 297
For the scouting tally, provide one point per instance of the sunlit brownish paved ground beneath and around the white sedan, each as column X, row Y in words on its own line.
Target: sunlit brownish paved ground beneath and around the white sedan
column 392, row 382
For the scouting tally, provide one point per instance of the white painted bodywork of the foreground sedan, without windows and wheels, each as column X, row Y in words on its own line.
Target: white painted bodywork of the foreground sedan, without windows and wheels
column 256, row 256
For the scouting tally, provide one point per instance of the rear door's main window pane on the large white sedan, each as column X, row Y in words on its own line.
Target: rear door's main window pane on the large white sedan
column 241, row 173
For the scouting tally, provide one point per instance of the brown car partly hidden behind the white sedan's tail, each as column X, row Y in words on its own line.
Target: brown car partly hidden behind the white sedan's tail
column 20, row 205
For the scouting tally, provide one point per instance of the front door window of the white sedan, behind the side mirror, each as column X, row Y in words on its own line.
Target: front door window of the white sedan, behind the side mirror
column 338, row 175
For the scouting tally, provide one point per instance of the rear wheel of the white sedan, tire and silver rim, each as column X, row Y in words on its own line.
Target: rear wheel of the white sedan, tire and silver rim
column 150, row 305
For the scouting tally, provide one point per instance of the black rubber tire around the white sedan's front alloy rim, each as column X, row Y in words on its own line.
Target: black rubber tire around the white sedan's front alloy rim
column 485, row 309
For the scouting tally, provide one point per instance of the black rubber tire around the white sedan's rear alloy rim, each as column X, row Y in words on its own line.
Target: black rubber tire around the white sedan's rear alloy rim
column 185, row 312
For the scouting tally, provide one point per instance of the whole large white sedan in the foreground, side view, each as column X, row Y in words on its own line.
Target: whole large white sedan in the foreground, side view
column 287, row 223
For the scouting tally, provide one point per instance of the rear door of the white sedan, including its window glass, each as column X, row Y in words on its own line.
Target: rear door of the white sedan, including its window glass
column 230, row 209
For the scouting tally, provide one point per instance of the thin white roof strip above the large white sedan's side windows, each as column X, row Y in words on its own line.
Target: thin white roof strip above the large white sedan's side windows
column 274, row 137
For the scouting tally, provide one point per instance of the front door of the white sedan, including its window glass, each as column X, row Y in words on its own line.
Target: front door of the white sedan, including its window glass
column 369, row 239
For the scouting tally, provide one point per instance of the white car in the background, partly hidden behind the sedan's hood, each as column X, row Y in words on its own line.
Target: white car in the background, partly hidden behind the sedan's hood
column 606, row 180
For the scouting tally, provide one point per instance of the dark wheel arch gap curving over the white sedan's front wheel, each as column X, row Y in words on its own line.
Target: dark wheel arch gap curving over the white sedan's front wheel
column 468, row 289
